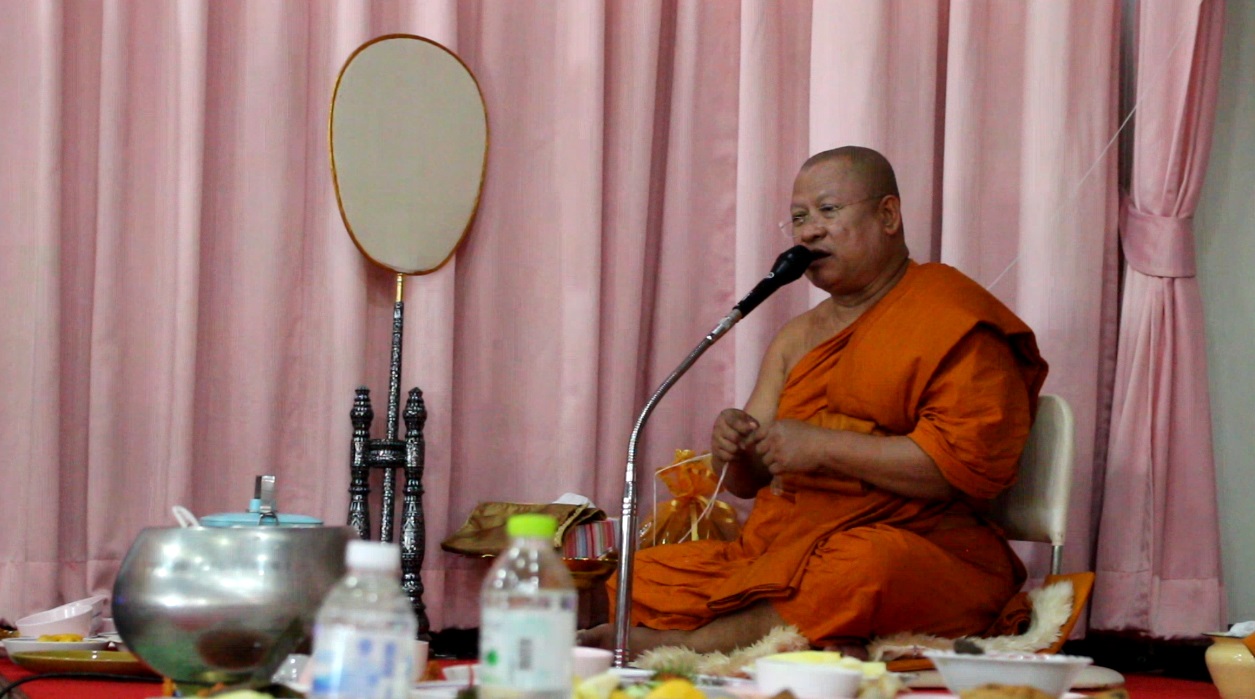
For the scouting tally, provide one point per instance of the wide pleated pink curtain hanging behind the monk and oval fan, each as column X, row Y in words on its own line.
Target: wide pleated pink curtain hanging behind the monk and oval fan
column 185, row 309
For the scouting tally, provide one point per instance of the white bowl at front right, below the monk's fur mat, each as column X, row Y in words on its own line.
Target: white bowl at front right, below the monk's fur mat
column 1052, row 675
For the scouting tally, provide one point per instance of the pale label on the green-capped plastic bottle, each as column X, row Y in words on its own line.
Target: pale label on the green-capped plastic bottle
column 525, row 642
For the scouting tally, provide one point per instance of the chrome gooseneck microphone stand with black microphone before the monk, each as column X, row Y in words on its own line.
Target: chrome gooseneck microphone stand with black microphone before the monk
column 789, row 268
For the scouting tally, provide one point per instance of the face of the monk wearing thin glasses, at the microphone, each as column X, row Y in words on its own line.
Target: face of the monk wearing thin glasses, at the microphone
column 857, row 230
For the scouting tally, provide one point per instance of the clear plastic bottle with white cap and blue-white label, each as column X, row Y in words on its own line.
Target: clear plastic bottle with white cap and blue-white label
column 365, row 637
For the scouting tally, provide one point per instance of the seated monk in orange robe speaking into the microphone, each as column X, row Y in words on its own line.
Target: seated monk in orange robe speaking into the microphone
column 883, row 422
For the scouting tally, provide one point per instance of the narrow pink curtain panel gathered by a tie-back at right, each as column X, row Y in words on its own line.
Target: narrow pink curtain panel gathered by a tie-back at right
column 1159, row 545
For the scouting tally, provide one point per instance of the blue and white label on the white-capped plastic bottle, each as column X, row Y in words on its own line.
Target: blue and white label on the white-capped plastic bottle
column 352, row 664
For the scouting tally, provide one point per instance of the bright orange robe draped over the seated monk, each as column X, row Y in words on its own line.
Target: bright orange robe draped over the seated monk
column 939, row 361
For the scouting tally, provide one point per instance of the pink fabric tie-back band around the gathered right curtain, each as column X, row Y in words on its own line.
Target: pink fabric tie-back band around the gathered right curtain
column 1158, row 245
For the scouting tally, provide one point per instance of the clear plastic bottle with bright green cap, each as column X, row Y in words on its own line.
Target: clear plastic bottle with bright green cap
column 529, row 608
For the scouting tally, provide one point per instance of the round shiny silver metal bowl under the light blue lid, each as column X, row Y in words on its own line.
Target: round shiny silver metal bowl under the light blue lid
column 224, row 606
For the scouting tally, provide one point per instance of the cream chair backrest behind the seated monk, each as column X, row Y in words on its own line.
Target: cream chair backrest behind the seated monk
column 1036, row 509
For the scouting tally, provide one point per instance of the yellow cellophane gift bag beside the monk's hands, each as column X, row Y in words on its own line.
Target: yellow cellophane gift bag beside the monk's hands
column 695, row 511
